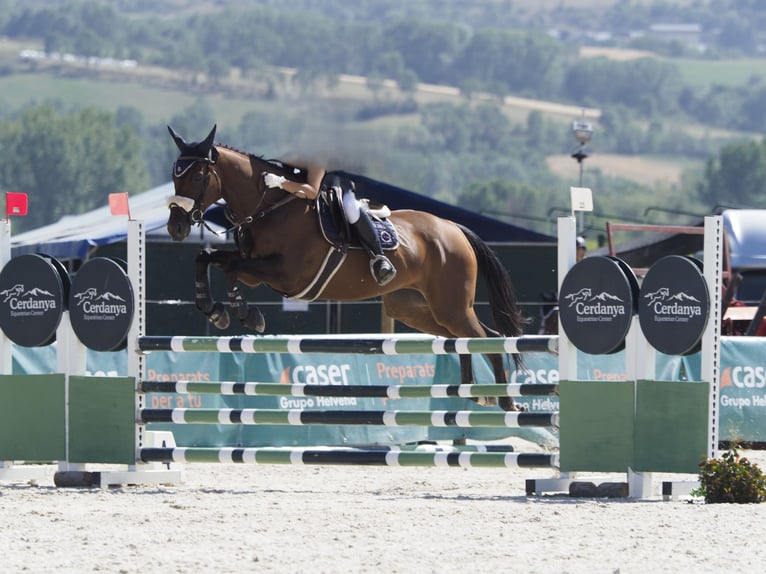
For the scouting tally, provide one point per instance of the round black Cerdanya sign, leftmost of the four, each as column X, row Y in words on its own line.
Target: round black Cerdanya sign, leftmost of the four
column 33, row 295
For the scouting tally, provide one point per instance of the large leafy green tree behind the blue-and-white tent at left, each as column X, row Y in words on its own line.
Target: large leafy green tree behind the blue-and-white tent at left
column 68, row 163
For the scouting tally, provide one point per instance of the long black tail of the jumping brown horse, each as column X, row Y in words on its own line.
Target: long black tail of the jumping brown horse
column 502, row 299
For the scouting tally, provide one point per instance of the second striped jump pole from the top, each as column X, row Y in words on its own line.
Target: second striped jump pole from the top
column 366, row 391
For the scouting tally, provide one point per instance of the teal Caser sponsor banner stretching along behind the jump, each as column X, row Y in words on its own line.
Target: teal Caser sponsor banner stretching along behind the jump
column 742, row 400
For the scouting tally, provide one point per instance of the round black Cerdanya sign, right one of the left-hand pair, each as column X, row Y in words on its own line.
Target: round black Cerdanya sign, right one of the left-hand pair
column 101, row 304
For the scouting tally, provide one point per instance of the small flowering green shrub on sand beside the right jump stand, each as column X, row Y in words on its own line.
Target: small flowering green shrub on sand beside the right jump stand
column 732, row 478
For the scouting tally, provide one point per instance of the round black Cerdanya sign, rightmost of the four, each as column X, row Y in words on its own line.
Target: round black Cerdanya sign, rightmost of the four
column 674, row 305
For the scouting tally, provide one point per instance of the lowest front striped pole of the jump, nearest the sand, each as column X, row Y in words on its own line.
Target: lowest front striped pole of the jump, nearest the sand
column 373, row 457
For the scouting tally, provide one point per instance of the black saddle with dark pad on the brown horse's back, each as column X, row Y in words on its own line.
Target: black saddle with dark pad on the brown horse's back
column 336, row 229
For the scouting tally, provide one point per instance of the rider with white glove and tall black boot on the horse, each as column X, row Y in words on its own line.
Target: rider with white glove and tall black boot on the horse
column 380, row 266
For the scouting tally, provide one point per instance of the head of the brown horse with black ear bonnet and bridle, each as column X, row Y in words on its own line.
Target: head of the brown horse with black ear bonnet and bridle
column 195, row 191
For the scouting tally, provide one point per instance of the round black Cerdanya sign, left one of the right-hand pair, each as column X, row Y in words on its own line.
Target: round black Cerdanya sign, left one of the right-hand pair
column 596, row 304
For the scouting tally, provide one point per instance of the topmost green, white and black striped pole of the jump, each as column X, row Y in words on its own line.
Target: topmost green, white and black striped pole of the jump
column 411, row 345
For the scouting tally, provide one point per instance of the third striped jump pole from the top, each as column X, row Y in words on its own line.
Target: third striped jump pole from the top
column 299, row 417
